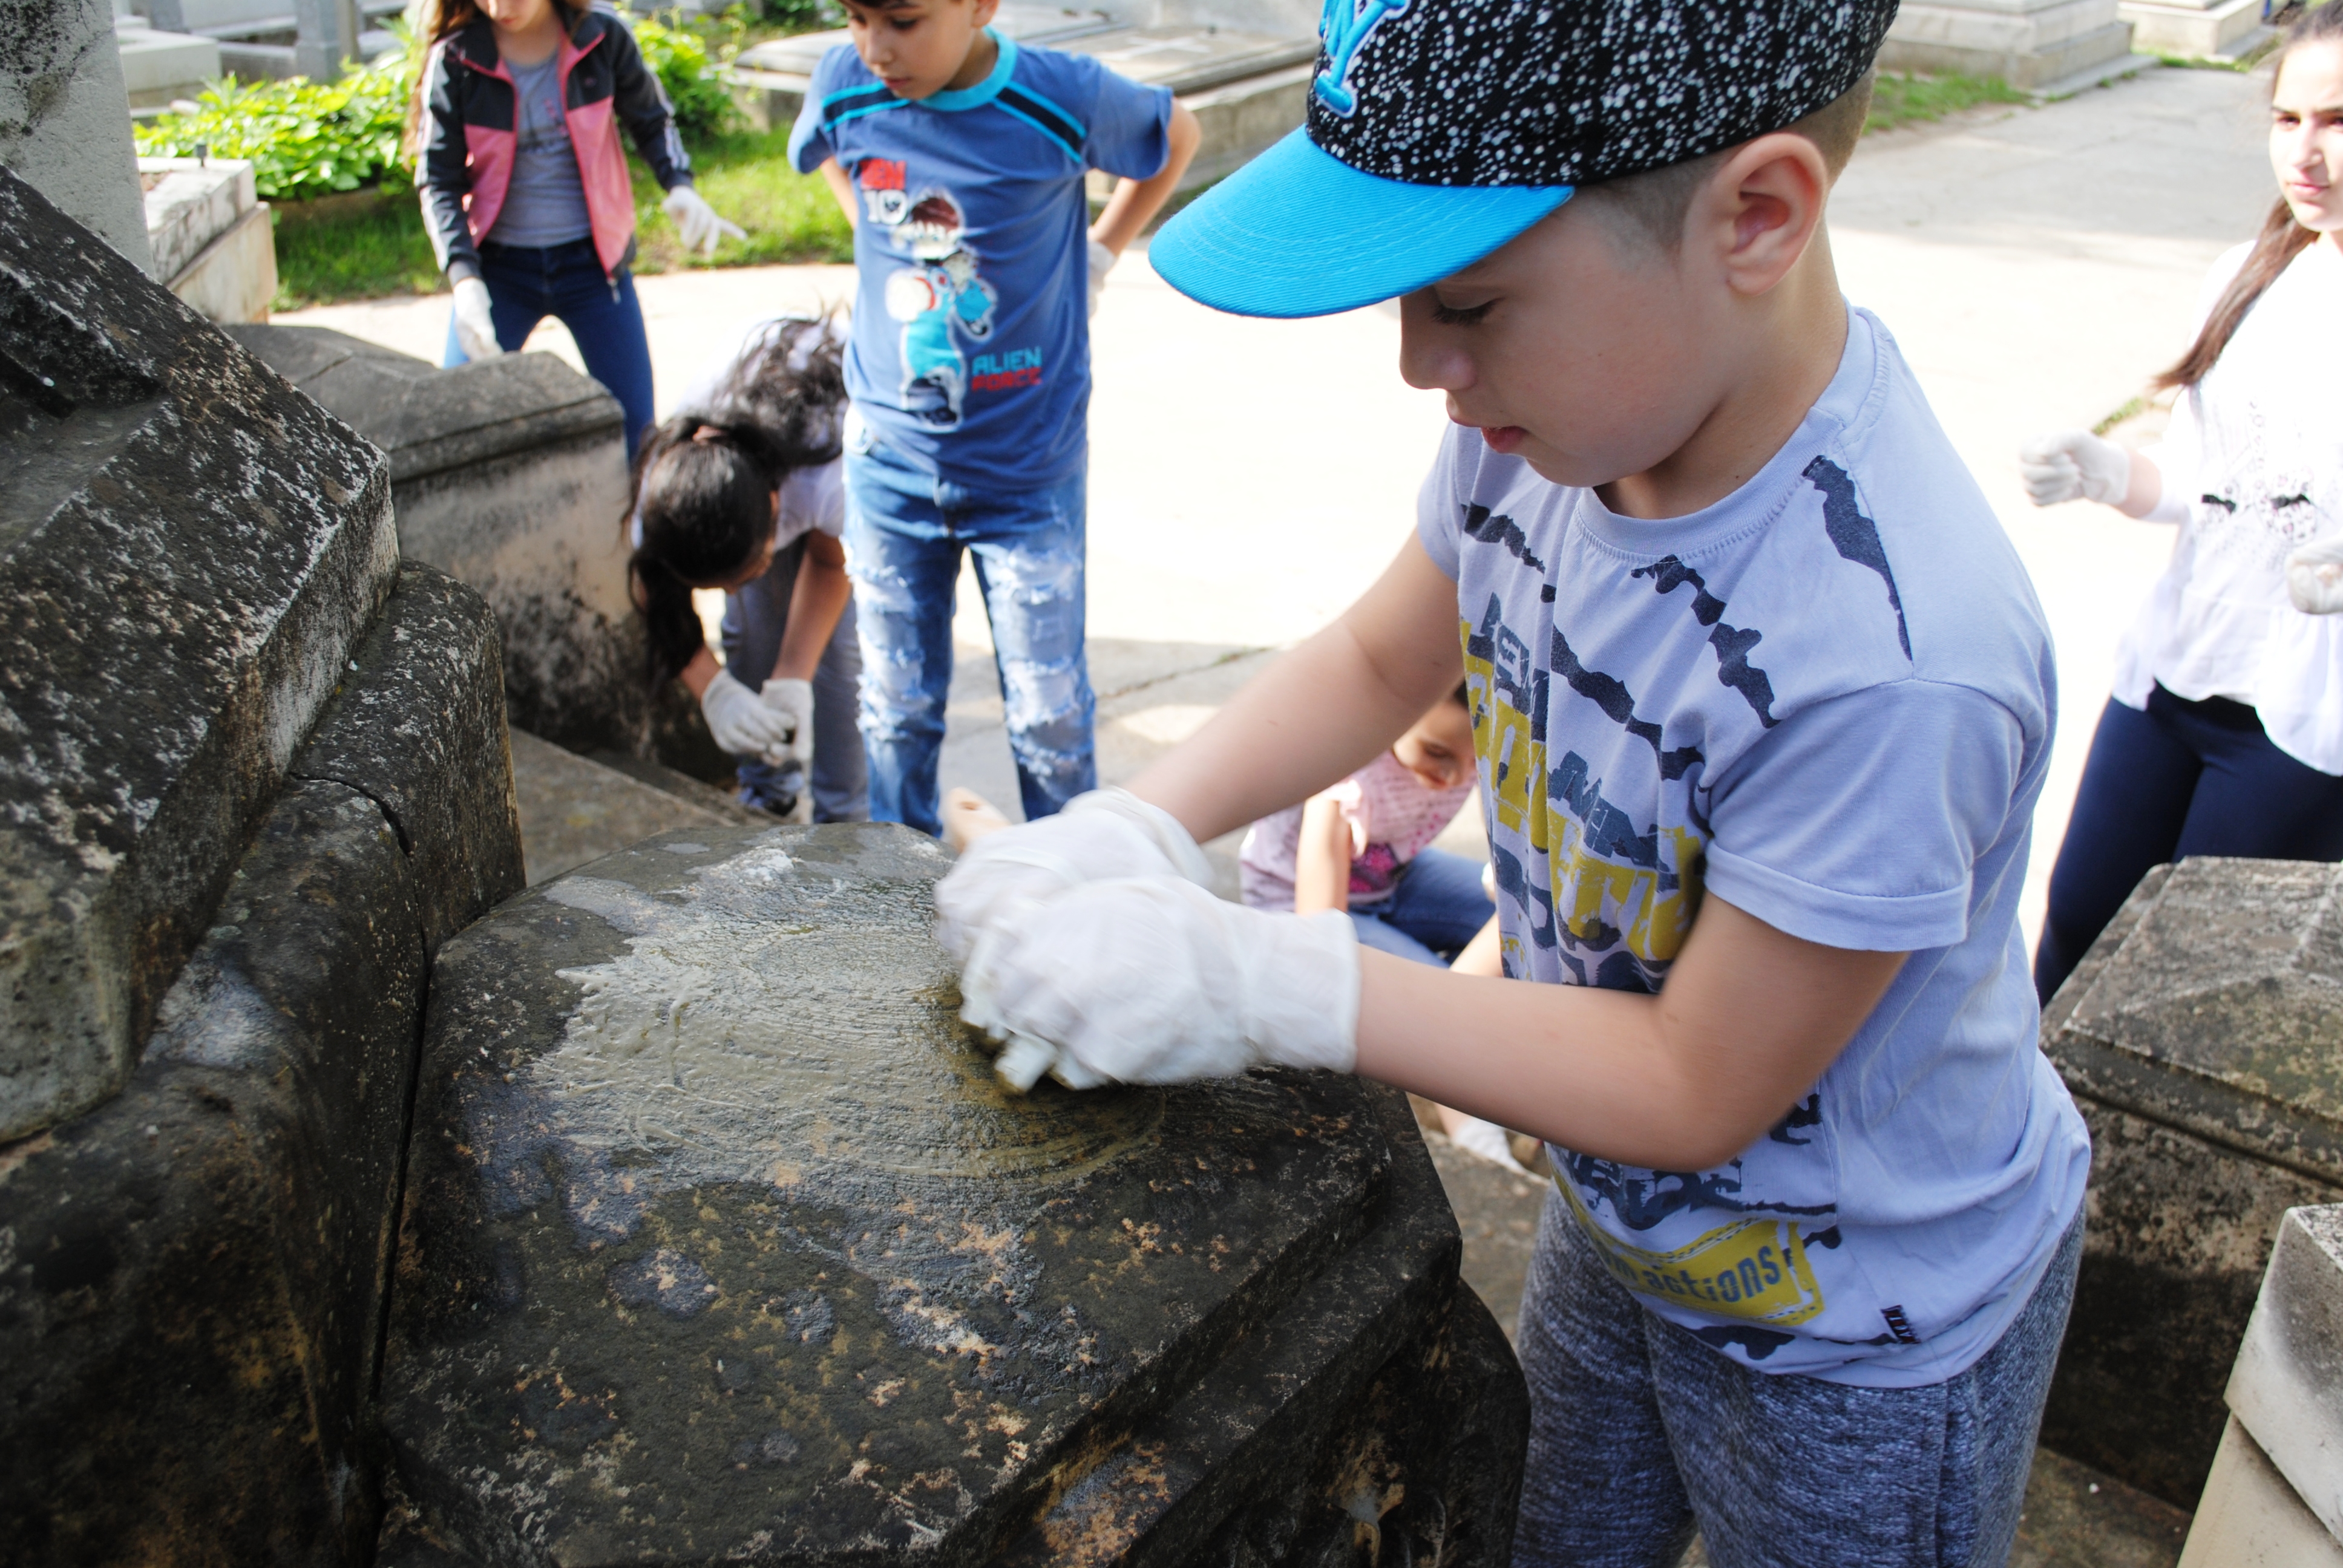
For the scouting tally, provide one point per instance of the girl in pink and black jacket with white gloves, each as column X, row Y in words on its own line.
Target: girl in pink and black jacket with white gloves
column 526, row 189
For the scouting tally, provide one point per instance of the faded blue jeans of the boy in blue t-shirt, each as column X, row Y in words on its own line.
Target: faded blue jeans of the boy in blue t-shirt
column 906, row 533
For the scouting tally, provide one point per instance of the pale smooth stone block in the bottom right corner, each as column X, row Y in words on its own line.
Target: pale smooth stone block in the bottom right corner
column 2276, row 1492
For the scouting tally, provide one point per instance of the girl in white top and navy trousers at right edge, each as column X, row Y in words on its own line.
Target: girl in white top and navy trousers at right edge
column 2225, row 735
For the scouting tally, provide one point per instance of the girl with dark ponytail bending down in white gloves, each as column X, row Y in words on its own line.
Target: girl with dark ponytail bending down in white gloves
column 742, row 491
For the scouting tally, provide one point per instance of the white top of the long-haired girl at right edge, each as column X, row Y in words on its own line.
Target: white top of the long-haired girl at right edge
column 2257, row 458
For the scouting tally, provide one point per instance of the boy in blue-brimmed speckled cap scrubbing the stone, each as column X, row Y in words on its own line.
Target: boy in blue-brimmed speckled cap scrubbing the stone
column 1761, row 702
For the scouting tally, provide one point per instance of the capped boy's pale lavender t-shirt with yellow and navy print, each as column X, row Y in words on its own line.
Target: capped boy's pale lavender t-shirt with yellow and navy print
column 1826, row 700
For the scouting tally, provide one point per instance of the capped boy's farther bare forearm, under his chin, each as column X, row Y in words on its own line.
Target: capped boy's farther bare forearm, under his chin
column 1323, row 711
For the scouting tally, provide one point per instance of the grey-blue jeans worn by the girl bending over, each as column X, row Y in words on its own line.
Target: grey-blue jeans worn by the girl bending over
column 756, row 620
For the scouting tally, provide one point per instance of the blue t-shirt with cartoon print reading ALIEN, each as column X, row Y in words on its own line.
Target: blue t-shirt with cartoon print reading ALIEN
column 971, row 336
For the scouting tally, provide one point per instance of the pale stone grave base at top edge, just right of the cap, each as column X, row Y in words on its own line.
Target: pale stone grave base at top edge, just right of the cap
column 2042, row 46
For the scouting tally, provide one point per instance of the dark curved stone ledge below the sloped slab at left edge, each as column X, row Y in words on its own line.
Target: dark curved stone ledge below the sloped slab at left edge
column 193, row 1276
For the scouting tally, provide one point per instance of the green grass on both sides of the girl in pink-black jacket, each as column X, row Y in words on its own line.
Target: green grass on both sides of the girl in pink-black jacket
column 374, row 245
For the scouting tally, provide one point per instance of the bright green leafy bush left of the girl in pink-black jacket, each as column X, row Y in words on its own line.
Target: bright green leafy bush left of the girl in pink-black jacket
column 303, row 139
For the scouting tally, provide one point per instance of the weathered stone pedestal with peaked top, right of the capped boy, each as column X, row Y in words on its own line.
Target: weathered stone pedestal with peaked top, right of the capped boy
column 2204, row 1042
